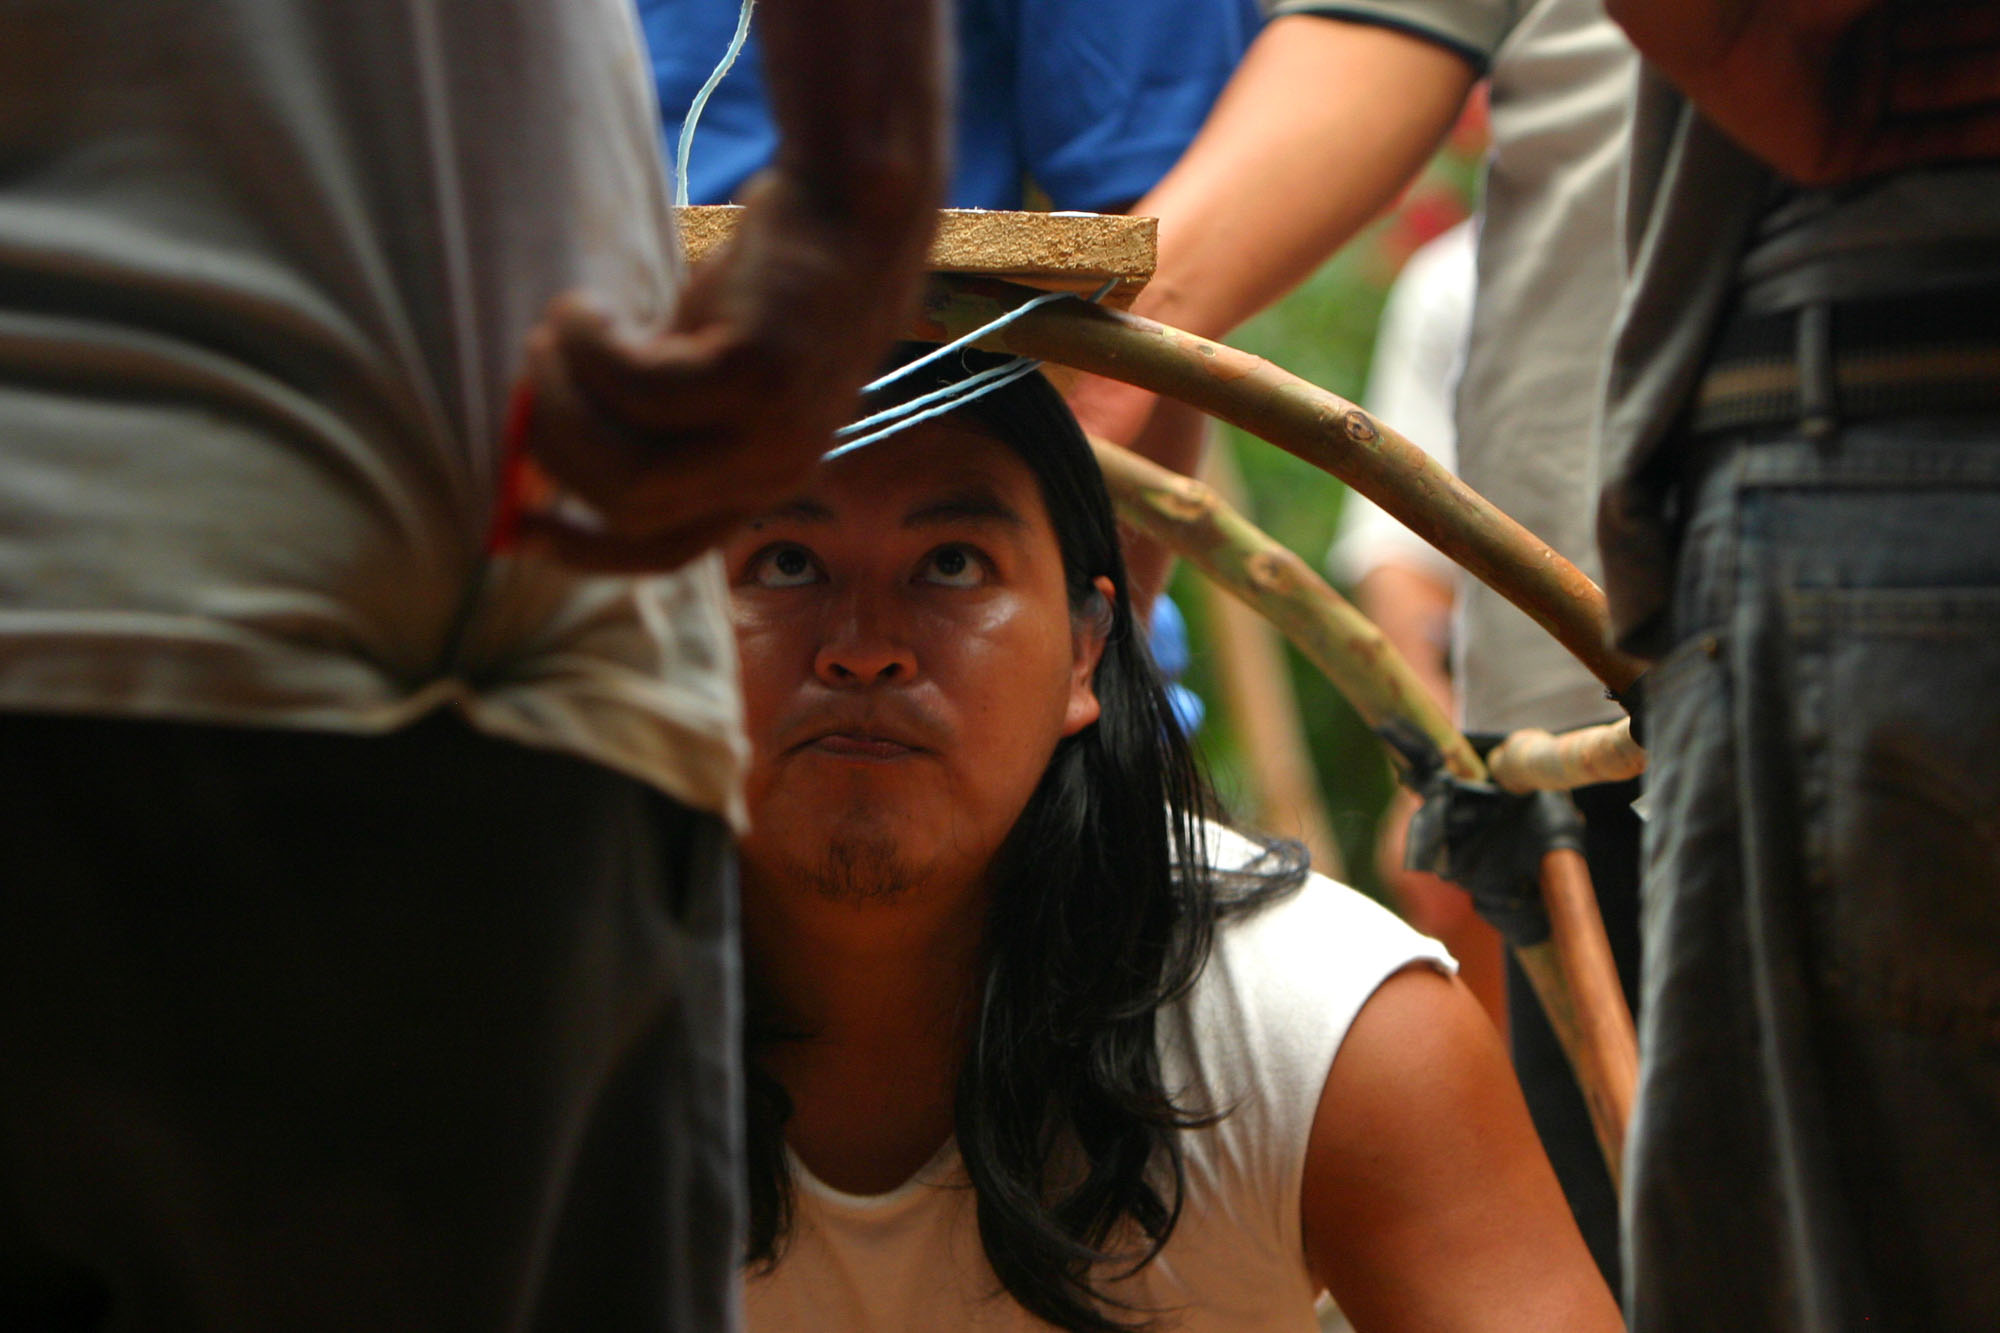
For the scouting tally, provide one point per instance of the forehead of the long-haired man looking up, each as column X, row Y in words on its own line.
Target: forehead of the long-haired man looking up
column 935, row 473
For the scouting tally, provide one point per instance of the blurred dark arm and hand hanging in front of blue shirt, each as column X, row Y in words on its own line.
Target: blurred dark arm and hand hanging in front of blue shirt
column 675, row 435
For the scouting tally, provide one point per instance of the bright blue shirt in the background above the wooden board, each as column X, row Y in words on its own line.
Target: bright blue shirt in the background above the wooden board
column 1089, row 99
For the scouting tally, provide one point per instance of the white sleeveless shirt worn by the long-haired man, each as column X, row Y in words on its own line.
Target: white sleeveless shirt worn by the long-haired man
column 1257, row 1036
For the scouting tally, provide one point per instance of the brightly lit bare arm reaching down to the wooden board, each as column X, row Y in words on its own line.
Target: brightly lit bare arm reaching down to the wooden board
column 1323, row 125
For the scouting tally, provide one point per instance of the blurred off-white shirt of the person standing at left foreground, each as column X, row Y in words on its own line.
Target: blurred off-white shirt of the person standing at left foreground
column 267, row 271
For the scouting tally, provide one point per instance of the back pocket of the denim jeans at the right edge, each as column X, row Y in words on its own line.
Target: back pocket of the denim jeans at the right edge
column 1903, row 802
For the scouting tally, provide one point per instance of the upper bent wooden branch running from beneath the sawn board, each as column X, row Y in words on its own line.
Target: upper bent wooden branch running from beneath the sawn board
column 1315, row 425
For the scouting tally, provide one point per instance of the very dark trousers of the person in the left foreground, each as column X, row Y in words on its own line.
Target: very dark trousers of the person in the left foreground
column 307, row 1032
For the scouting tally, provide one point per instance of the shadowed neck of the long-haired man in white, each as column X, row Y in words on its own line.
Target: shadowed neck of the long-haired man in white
column 881, row 998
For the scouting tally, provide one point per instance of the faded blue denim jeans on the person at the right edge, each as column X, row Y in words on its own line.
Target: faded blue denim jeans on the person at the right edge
column 1819, row 1130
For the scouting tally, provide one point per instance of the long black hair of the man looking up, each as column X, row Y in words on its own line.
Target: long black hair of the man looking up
column 1105, row 910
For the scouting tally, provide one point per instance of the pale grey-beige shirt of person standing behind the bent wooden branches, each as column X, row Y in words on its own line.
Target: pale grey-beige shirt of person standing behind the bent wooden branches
column 1549, row 281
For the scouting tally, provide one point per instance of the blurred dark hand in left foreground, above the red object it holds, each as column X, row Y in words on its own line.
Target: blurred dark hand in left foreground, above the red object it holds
column 677, row 435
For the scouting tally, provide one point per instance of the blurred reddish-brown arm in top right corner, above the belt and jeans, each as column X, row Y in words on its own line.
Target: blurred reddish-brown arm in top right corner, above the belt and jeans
column 1831, row 91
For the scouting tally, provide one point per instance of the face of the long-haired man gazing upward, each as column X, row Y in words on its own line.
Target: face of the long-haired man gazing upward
column 909, row 665
